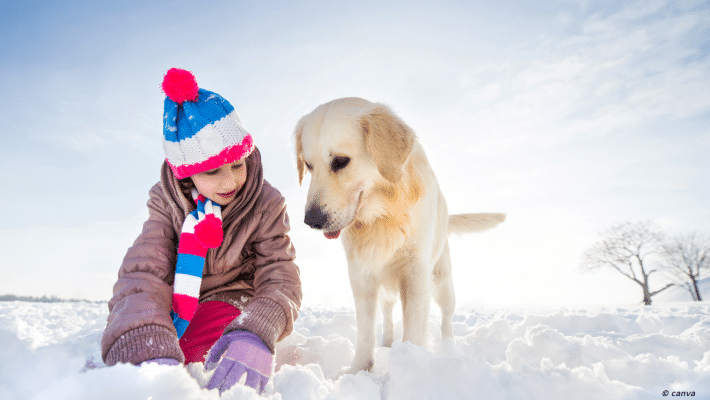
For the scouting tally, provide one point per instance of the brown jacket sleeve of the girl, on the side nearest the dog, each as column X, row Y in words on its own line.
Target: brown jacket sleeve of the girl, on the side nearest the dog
column 277, row 284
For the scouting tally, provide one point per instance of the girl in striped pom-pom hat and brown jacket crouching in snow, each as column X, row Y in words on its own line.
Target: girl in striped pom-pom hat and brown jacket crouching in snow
column 212, row 276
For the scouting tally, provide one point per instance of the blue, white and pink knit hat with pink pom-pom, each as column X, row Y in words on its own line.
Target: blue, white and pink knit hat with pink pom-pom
column 202, row 131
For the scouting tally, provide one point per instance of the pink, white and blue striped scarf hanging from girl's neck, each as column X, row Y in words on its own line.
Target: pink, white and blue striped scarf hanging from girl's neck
column 201, row 230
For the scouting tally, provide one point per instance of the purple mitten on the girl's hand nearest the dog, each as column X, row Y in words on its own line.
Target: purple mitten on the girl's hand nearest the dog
column 237, row 353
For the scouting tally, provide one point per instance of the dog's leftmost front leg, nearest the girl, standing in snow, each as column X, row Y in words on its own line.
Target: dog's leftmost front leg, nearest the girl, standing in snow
column 365, row 294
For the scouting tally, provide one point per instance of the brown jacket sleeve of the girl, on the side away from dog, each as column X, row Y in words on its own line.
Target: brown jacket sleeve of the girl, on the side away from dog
column 139, row 326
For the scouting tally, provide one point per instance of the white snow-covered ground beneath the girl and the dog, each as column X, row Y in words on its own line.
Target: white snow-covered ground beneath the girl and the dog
column 51, row 351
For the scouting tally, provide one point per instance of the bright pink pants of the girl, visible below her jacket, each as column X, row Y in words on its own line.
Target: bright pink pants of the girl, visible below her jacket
column 206, row 327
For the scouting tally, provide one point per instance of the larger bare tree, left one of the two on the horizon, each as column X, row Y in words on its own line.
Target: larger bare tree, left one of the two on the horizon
column 630, row 249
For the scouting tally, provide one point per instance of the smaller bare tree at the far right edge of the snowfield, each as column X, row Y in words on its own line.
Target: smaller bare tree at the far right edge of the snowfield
column 687, row 258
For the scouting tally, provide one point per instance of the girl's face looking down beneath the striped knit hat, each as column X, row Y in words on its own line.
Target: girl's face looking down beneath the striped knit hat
column 222, row 184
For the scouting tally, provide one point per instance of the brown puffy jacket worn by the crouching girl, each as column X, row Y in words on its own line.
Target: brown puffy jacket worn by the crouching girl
column 253, row 270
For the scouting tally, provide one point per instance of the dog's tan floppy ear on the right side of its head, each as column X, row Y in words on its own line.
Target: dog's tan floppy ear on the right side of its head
column 388, row 140
